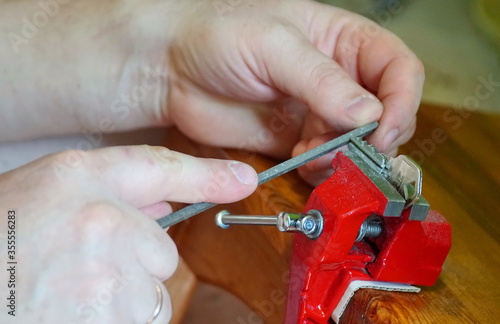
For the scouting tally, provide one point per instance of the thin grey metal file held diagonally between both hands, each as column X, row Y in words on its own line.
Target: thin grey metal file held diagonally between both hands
column 274, row 172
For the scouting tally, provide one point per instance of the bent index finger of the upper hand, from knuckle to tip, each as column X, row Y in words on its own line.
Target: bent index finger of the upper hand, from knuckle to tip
column 377, row 59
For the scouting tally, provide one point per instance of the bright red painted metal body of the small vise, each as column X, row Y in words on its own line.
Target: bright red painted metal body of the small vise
column 408, row 251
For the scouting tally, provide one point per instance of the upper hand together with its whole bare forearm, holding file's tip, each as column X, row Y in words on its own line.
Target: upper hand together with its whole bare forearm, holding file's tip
column 269, row 76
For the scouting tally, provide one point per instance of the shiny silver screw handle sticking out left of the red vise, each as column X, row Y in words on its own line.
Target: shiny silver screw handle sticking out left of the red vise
column 310, row 224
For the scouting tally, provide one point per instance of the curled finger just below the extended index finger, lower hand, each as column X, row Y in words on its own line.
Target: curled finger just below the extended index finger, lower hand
column 141, row 242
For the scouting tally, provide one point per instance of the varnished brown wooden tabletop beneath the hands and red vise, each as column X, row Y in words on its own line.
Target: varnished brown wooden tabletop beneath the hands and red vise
column 459, row 153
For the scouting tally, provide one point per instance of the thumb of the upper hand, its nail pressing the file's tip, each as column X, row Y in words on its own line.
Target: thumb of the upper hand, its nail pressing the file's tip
column 300, row 70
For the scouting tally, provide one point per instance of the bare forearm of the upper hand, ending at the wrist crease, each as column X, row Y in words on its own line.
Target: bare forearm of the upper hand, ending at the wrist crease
column 93, row 65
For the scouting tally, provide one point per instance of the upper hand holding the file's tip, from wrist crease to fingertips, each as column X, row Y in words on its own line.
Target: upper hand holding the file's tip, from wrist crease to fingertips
column 347, row 71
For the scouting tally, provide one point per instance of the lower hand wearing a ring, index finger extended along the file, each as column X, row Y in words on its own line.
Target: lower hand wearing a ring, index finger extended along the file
column 88, row 249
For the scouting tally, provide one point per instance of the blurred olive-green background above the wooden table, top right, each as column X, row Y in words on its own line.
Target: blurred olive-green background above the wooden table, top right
column 457, row 40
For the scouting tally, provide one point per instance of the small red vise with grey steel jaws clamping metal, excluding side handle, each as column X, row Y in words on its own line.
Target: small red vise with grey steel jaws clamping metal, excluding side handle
column 378, row 232
